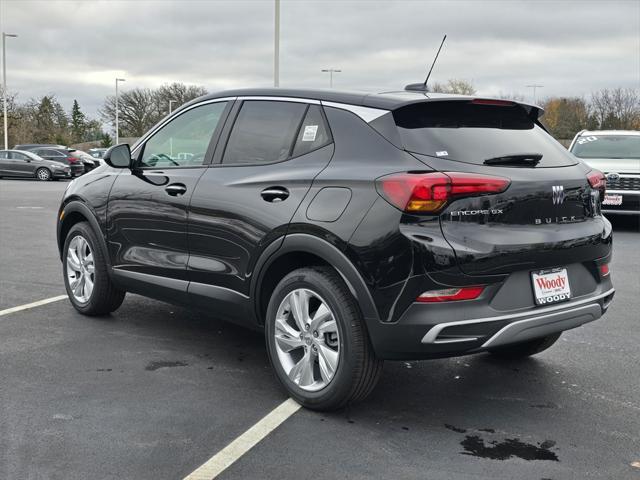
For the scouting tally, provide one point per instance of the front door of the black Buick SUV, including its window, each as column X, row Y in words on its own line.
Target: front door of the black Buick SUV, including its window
column 147, row 208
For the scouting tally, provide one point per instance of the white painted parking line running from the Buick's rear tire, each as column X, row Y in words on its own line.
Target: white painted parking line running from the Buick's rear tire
column 245, row 442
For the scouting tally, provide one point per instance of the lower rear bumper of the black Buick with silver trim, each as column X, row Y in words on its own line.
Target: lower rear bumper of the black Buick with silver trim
column 461, row 328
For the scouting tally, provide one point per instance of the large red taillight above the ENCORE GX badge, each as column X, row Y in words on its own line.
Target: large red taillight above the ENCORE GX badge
column 430, row 192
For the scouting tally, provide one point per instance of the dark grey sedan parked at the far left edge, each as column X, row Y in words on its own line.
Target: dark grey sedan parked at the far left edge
column 17, row 163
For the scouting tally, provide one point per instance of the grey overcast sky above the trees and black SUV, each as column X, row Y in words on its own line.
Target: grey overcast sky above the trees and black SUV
column 75, row 49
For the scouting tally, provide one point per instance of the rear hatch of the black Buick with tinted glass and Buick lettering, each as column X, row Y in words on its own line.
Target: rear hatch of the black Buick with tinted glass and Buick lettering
column 548, row 216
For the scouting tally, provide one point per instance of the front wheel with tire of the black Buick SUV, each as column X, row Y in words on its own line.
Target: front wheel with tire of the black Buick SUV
column 104, row 297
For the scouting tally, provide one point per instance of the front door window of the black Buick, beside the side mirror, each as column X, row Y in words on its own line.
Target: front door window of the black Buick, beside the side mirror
column 184, row 141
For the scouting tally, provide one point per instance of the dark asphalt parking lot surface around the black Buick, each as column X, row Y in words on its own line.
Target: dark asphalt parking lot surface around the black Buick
column 155, row 390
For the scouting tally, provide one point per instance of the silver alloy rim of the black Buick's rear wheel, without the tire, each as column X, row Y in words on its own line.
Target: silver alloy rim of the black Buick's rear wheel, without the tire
column 307, row 339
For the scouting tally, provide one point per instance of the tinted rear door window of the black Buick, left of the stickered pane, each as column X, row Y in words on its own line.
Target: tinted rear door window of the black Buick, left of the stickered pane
column 263, row 132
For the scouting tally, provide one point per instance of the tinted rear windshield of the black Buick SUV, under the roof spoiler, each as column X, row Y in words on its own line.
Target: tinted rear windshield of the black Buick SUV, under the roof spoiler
column 472, row 133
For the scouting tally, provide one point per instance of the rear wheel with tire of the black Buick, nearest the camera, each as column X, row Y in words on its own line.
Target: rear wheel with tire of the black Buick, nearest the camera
column 357, row 371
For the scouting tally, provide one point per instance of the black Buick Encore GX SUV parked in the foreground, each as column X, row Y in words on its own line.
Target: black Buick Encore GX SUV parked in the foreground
column 352, row 228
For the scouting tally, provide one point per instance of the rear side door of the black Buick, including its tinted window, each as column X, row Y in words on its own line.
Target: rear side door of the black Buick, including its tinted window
column 272, row 153
